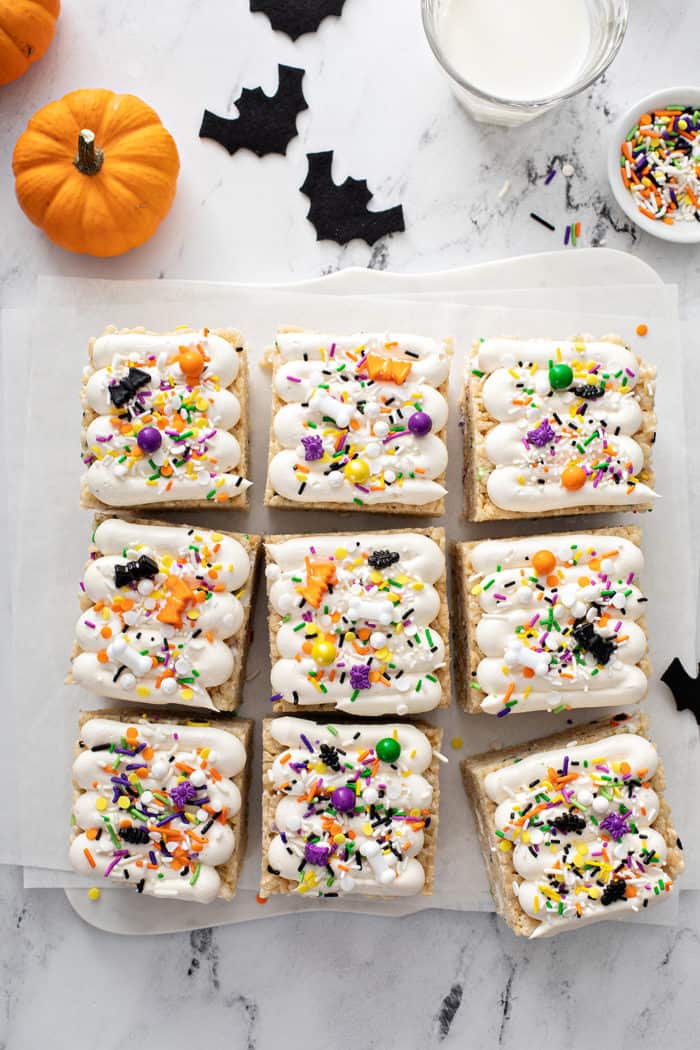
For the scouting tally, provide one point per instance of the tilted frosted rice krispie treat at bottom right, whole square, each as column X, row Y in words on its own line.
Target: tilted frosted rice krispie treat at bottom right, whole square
column 575, row 828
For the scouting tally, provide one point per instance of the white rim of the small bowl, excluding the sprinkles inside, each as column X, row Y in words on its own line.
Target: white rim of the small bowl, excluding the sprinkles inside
column 684, row 233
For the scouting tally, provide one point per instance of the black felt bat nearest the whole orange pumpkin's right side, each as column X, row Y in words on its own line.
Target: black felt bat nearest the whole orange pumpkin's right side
column 266, row 123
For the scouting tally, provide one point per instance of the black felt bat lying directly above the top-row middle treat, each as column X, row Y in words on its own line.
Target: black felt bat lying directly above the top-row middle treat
column 341, row 213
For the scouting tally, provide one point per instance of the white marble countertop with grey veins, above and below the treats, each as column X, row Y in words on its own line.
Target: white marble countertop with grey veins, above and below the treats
column 377, row 99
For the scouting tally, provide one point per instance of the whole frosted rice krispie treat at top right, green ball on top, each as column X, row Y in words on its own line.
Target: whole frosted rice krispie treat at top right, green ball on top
column 558, row 428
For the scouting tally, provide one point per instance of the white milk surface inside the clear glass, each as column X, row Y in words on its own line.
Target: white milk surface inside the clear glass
column 517, row 50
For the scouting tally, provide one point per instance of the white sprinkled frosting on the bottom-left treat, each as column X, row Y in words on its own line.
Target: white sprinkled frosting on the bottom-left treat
column 156, row 806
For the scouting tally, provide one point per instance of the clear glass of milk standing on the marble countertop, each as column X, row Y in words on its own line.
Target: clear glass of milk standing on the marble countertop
column 511, row 60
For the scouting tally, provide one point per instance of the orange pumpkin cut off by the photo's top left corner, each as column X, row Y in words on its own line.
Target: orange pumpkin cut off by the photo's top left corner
column 27, row 30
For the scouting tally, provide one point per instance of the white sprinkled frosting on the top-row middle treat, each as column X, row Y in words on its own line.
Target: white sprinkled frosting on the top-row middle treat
column 345, row 428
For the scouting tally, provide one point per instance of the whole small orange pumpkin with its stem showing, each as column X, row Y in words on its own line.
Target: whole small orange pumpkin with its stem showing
column 97, row 172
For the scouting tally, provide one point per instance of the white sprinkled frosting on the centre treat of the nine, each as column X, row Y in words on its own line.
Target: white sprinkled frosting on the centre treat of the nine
column 376, row 618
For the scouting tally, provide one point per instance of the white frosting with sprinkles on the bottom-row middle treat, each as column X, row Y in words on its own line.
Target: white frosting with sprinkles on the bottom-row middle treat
column 374, row 848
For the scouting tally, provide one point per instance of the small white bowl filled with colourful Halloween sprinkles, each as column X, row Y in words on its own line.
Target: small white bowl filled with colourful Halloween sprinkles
column 654, row 164
